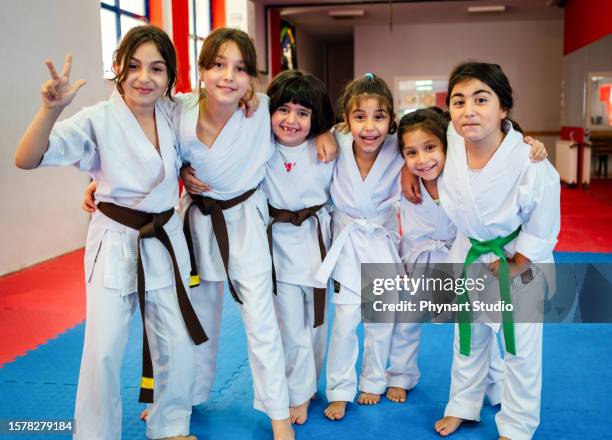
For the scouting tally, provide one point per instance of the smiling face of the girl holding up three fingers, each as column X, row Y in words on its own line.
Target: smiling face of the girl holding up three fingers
column 147, row 77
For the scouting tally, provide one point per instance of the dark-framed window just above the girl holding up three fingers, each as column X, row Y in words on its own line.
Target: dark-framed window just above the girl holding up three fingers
column 116, row 18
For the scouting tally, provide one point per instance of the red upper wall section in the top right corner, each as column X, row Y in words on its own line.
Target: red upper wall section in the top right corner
column 585, row 21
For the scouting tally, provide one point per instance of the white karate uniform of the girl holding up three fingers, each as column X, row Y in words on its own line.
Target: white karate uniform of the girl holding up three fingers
column 107, row 142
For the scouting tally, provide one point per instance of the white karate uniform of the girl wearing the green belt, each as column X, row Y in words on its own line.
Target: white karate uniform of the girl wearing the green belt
column 508, row 192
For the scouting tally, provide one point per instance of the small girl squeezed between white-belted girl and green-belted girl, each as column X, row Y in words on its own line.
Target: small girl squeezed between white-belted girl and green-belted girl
column 427, row 235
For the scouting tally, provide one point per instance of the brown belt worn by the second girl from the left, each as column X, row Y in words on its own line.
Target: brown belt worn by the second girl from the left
column 214, row 208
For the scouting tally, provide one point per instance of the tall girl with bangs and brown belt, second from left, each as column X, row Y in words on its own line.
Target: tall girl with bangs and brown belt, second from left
column 227, row 225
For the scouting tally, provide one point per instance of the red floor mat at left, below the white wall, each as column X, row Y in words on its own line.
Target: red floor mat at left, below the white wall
column 39, row 302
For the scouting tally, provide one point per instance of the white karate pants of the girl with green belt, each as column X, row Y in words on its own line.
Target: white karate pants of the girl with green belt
column 520, row 395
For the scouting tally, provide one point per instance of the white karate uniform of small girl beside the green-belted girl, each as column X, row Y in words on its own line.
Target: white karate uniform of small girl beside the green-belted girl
column 427, row 235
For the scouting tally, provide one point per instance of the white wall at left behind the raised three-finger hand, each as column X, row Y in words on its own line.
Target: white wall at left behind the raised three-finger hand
column 41, row 216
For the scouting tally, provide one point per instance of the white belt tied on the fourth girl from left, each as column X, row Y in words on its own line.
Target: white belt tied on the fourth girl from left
column 351, row 224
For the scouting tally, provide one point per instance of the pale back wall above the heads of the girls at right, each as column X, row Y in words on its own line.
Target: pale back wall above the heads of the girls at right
column 530, row 53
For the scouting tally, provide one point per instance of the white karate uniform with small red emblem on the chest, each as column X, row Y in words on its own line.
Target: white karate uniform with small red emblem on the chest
column 296, row 179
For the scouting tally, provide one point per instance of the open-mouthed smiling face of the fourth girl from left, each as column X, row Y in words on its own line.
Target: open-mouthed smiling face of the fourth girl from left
column 369, row 123
